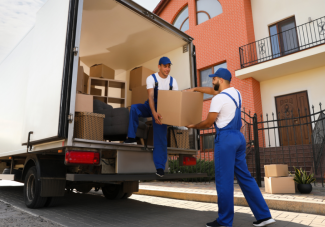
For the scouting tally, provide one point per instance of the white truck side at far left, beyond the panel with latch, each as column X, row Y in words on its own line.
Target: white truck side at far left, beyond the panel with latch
column 14, row 71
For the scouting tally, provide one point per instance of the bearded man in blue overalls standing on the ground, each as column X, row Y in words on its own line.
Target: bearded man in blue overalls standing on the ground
column 230, row 152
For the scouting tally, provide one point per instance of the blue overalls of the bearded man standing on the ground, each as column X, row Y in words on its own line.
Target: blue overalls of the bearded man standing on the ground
column 229, row 159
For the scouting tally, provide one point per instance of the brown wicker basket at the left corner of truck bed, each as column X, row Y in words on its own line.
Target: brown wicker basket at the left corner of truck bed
column 89, row 126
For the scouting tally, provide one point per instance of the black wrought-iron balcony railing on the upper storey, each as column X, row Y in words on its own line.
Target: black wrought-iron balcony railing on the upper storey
column 283, row 43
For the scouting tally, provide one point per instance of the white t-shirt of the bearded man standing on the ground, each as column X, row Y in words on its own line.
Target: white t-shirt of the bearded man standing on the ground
column 225, row 106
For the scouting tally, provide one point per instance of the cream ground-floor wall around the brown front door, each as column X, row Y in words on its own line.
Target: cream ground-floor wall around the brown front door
column 312, row 81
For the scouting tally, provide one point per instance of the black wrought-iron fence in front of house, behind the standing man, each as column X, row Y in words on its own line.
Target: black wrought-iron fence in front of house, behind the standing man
column 293, row 137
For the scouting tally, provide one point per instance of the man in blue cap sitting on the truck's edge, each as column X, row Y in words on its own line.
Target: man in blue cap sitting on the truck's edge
column 157, row 81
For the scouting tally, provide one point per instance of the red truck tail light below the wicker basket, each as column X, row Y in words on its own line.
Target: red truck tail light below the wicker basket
column 82, row 157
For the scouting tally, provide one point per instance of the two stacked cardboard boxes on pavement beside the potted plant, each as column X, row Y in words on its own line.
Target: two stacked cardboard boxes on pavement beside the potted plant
column 277, row 179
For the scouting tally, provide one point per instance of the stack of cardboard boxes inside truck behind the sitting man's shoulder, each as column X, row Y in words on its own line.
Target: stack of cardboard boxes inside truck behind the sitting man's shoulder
column 137, row 85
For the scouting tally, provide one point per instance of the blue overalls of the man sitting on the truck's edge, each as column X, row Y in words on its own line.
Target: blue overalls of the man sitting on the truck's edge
column 159, row 131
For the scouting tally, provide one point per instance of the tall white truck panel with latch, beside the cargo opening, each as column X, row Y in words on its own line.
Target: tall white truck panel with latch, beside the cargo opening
column 46, row 70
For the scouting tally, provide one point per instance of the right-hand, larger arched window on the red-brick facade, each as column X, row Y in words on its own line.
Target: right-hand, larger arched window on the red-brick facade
column 207, row 9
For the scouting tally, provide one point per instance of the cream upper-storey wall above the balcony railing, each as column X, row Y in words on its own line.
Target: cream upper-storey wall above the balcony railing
column 267, row 12
